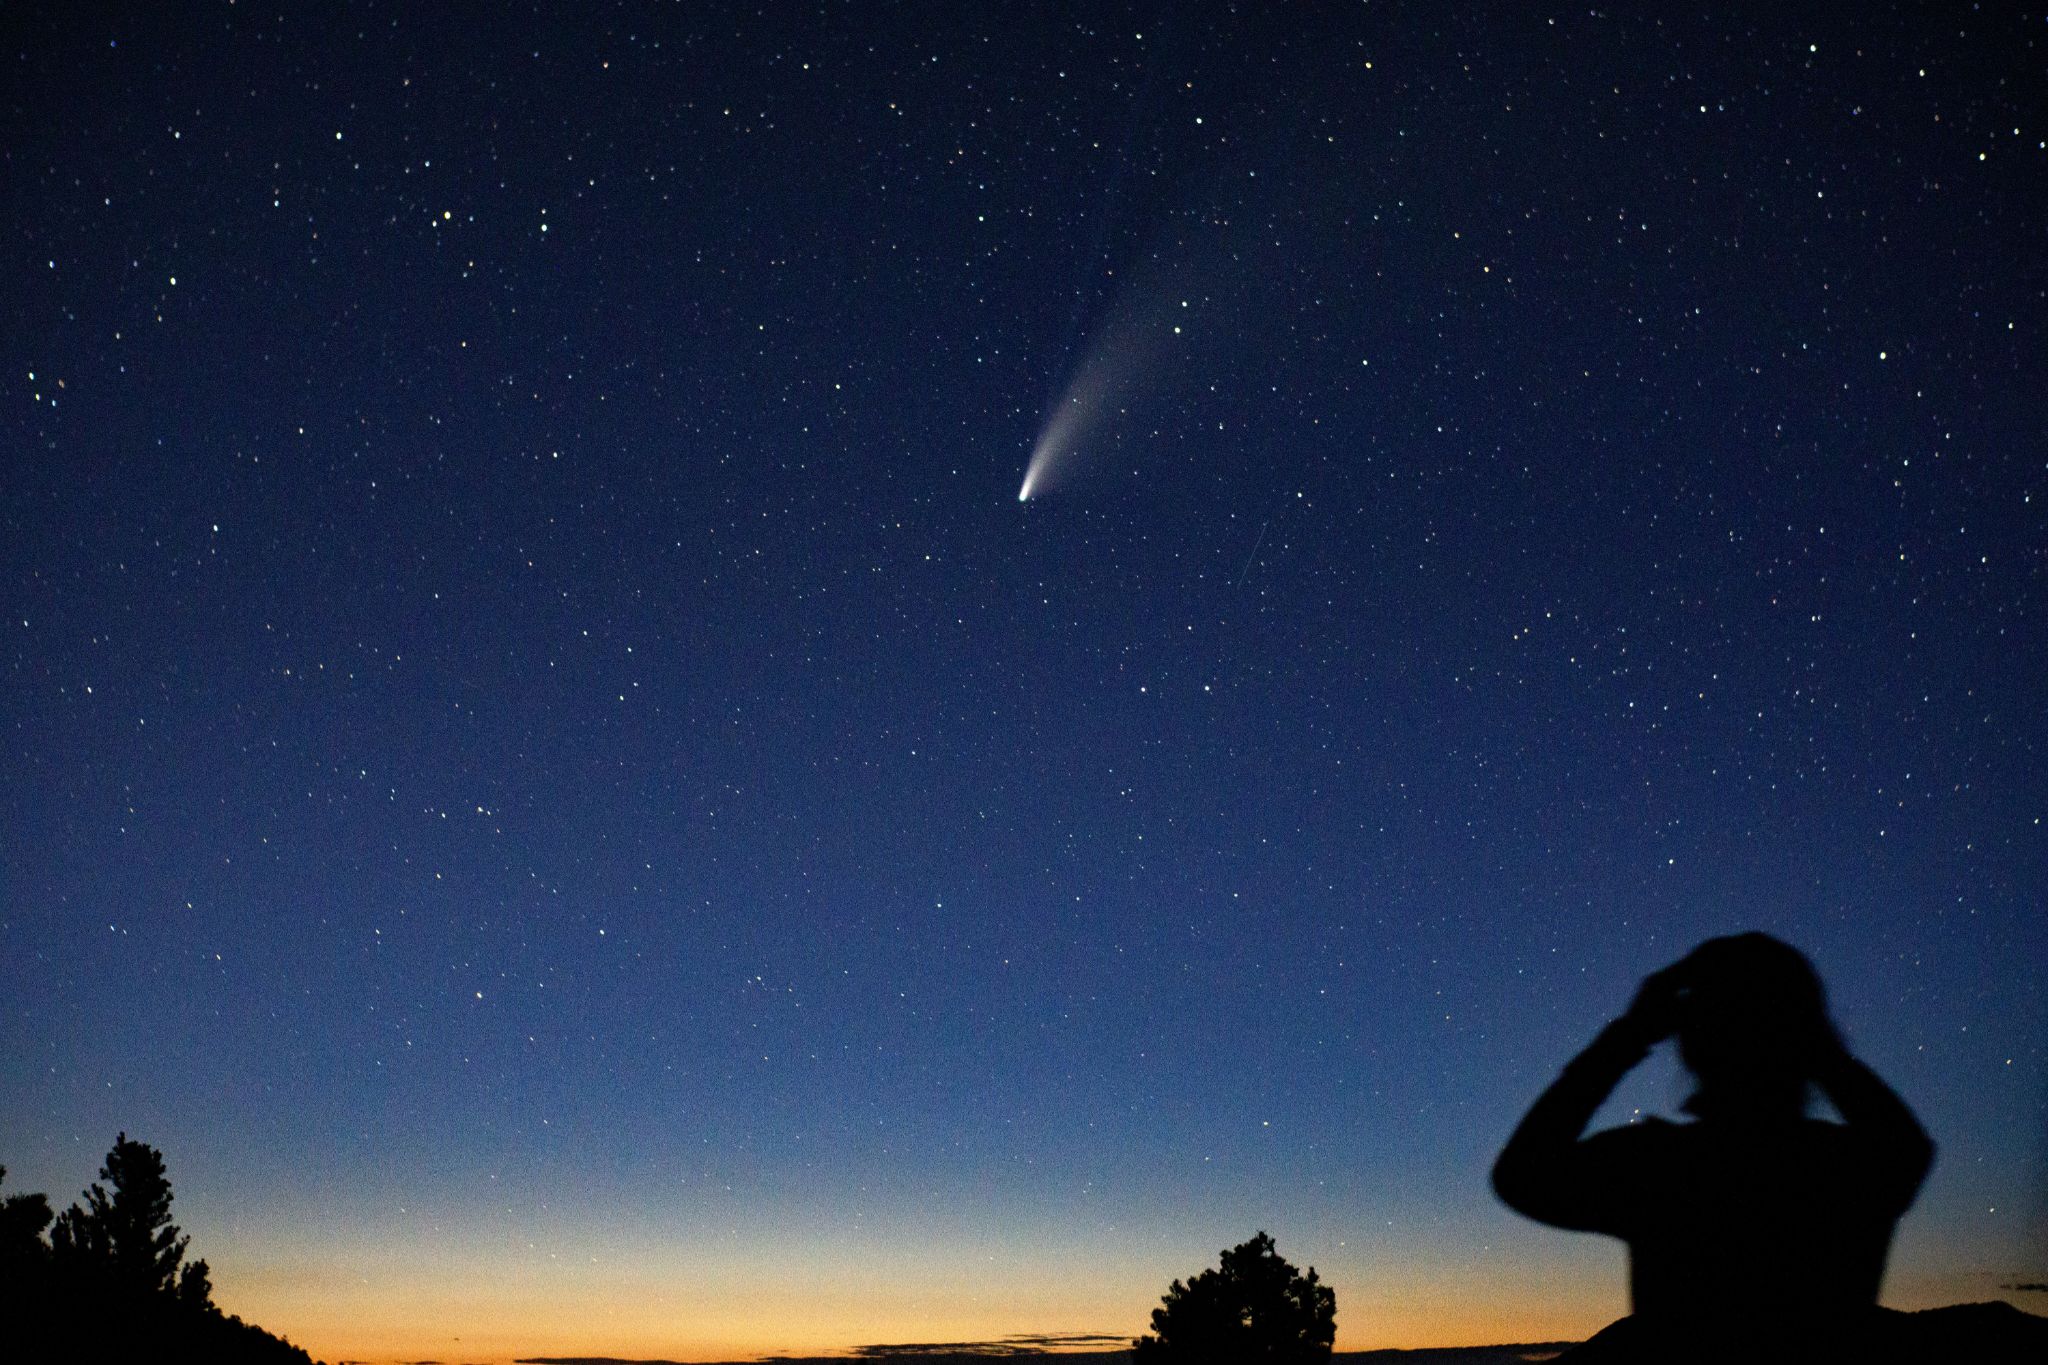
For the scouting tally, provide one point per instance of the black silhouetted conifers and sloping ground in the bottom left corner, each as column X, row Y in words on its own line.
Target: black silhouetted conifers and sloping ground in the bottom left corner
column 112, row 1282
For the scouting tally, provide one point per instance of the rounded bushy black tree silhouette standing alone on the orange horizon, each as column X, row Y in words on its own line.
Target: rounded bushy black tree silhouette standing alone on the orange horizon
column 1254, row 1309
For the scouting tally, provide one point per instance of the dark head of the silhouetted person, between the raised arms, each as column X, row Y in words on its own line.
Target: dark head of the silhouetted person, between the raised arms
column 1748, row 1020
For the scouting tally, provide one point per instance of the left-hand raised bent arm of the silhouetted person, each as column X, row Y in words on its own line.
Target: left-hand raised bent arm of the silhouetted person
column 1543, row 1172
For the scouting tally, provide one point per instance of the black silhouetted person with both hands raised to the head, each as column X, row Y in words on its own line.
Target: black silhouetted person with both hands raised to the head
column 1754, row 1231
